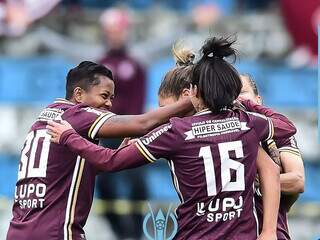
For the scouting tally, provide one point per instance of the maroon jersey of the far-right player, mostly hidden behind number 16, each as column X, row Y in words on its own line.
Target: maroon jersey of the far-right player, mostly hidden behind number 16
column 284, row 145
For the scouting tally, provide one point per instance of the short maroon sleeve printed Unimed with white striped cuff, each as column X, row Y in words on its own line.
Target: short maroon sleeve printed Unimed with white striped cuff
column 162, row 142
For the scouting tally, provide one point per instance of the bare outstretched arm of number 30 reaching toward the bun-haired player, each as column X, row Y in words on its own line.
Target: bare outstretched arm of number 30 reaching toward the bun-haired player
column 138, row 125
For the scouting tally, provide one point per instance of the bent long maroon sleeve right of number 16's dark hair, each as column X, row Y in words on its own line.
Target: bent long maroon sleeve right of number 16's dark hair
column 283, row 127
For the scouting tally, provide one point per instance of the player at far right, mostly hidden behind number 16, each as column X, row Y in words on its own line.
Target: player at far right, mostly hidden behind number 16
column 292, row 175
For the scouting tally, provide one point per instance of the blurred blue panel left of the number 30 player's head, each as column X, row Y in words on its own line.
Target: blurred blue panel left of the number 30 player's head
column 32, row 80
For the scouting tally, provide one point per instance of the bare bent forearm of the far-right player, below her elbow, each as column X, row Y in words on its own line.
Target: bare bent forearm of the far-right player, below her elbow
column 291, row 183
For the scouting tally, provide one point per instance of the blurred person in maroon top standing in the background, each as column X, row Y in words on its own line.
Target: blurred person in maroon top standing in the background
column 129, row 99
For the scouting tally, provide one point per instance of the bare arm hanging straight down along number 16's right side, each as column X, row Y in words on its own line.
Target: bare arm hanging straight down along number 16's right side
column 269, row 176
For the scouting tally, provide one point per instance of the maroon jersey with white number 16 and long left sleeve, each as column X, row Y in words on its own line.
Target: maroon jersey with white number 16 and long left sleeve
column 213, row 163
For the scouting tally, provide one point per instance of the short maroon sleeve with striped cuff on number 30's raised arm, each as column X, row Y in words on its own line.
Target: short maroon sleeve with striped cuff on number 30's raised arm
column 86, row 120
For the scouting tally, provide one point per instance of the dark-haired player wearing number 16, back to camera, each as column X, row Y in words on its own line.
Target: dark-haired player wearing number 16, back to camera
column 214, row 155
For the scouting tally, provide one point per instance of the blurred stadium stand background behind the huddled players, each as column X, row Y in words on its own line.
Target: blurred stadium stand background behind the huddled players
column 41, row 40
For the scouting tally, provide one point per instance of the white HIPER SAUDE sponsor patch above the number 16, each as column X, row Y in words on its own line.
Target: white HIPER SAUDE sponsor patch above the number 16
column 215, row 127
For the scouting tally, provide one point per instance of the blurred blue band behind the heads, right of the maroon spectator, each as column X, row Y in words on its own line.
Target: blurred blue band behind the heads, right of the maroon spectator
column 279, row 85
